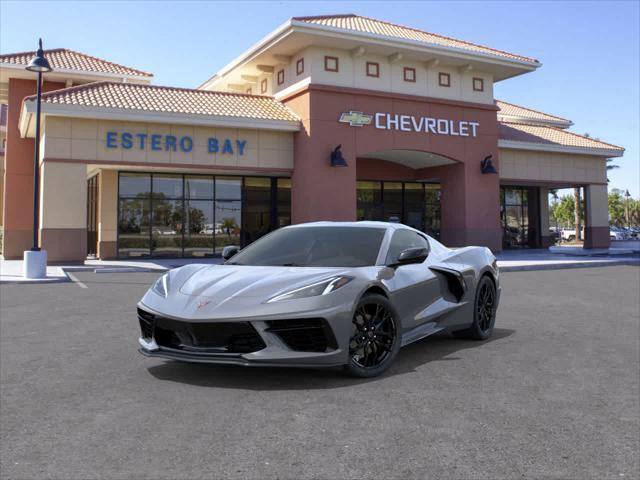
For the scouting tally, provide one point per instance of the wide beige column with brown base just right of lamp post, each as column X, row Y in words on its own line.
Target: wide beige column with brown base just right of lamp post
column 63, row 211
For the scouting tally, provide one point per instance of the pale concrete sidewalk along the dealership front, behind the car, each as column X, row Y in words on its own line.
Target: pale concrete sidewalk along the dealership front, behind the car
column 508, row 261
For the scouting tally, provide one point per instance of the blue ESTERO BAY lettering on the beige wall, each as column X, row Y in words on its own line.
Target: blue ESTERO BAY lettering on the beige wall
column 171, row 143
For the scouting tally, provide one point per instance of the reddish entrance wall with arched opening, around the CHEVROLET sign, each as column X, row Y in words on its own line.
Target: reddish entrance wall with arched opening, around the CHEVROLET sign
column 470, row 200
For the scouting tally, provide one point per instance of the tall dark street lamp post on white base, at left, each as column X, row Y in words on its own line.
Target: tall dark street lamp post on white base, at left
column 35, row 260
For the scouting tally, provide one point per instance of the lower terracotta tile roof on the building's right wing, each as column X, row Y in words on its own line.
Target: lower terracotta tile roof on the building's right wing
column 517, row 132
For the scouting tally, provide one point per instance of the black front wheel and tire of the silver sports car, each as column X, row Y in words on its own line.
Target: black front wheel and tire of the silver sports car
column 376, row 337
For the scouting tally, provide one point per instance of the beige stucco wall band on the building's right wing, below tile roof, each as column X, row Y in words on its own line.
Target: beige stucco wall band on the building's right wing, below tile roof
column 551, row 167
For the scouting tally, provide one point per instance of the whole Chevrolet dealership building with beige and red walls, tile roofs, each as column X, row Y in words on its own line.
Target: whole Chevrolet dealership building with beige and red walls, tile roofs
column 327, row 118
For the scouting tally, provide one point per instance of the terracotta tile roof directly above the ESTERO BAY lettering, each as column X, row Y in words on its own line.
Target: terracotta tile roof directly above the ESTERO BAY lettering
column 153, row 98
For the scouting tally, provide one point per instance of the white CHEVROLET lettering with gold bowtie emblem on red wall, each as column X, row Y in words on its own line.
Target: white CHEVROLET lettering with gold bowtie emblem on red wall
column 411, row 123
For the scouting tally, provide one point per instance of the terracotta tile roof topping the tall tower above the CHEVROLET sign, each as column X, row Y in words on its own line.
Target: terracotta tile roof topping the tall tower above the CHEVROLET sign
column 379, row 27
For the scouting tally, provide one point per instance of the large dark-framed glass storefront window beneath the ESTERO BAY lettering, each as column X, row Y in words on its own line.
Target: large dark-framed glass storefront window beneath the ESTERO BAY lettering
column 196, row 215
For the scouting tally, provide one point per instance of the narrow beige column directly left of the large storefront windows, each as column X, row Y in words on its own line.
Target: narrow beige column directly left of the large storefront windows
column 107, row 214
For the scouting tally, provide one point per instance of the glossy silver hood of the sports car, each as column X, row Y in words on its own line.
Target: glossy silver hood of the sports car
column 225, row 281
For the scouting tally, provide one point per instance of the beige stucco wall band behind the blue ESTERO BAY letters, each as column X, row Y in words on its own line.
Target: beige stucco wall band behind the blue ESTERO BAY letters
column 80, row 139
